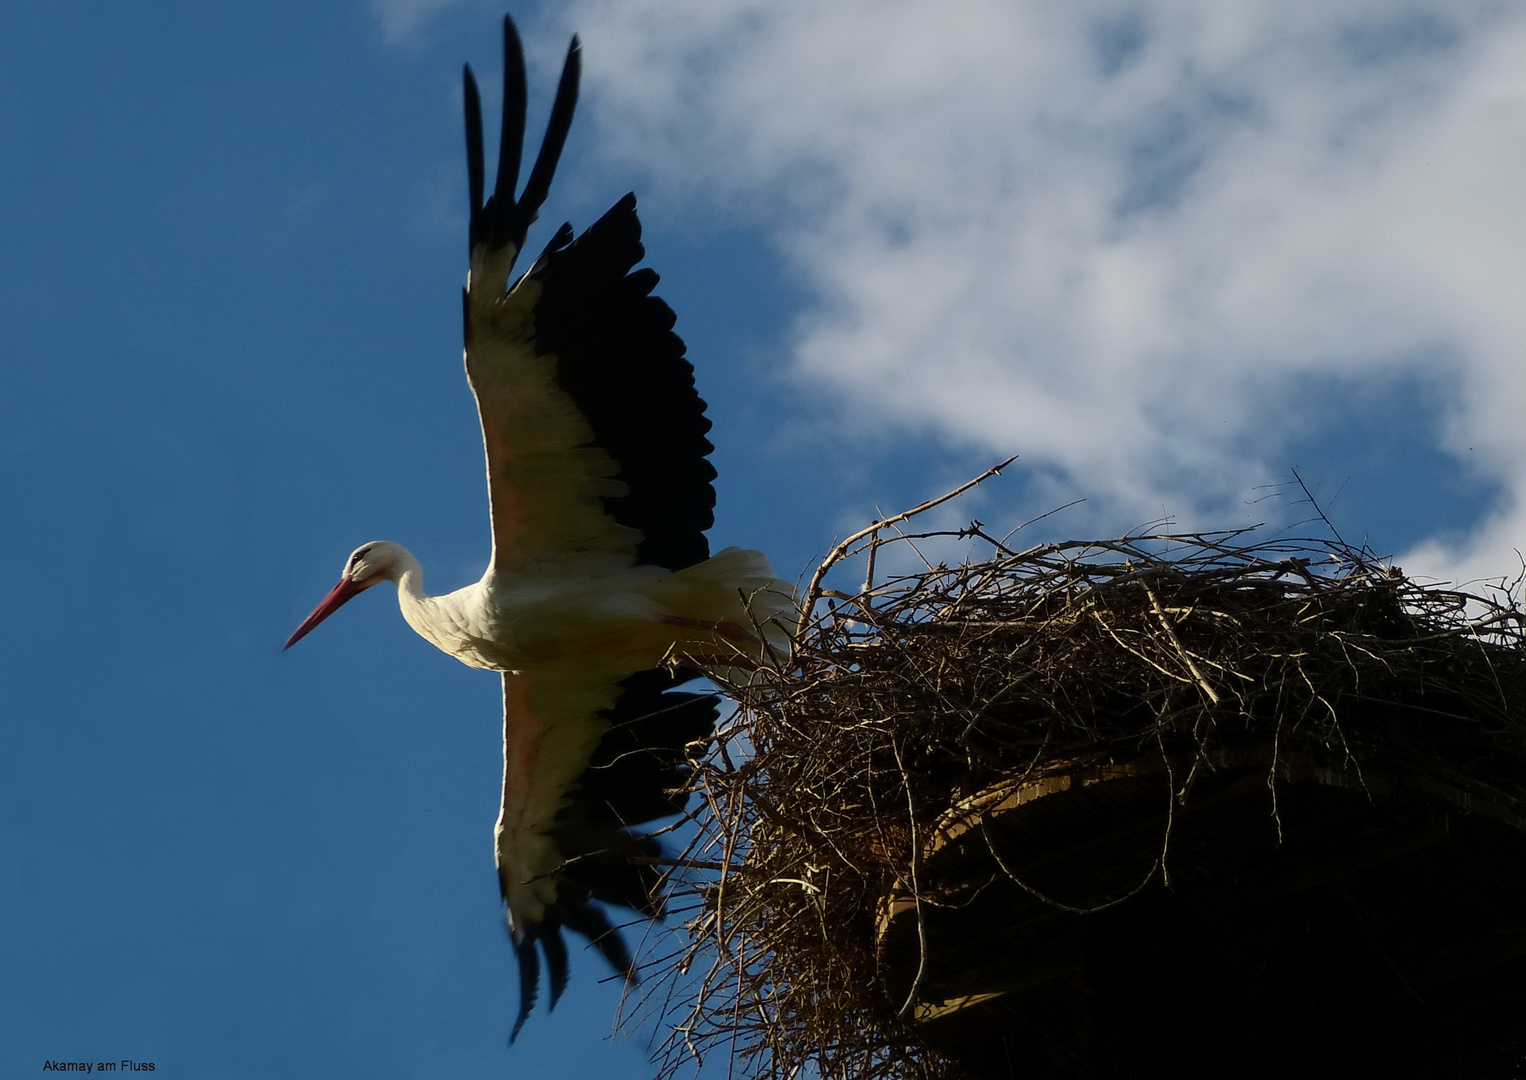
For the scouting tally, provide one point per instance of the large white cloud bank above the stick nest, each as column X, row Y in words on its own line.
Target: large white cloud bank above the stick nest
column 1113, row 236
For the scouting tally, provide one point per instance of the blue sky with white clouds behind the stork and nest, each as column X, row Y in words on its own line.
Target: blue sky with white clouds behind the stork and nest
column 1164, row 257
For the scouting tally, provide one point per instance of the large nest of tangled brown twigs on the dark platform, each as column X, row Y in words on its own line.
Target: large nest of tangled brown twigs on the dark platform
column 933, row 686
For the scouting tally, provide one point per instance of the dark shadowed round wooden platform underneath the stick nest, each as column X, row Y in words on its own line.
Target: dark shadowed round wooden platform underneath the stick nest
column 1359, row 924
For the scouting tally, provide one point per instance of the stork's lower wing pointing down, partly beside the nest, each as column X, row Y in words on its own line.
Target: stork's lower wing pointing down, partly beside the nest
column 585, row 760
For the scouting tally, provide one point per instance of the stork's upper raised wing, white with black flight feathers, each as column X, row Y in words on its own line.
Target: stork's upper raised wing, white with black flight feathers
column 594, row 432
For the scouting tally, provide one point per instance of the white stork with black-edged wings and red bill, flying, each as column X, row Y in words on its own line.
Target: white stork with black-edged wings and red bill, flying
column 602, row 596
